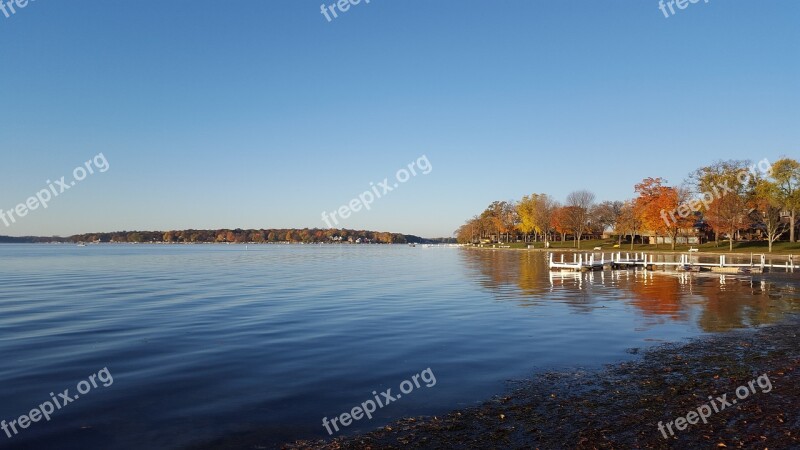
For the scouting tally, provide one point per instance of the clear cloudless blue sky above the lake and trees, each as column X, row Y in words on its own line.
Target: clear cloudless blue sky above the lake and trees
column 260, row 114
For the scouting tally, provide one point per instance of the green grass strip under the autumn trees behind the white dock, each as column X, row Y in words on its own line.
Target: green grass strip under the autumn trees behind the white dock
column 778, row 248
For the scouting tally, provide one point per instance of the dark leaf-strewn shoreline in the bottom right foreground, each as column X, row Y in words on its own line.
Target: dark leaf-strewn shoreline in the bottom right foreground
column 621, row 405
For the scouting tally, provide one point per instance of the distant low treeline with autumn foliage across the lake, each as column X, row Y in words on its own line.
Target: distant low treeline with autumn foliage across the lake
column 238, row 235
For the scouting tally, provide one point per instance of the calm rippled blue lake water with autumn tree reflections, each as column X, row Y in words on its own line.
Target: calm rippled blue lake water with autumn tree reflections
column 205, row 342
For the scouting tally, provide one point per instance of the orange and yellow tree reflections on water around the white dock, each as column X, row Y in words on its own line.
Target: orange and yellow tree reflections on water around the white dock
column 715, row 302
